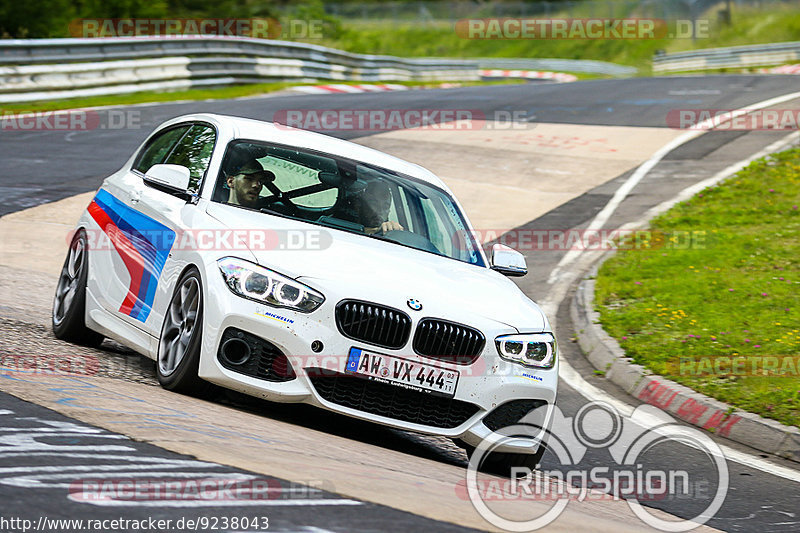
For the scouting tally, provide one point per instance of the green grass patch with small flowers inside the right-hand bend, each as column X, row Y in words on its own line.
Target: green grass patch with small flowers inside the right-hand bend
column 736, row 291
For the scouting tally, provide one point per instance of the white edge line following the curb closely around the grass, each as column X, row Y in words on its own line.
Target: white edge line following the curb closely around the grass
column 559, row 291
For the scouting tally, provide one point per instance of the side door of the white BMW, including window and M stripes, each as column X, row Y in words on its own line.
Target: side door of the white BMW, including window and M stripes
column 149, row 218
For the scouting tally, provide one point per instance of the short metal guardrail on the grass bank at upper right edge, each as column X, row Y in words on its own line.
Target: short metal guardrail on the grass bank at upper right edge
column 732, row 57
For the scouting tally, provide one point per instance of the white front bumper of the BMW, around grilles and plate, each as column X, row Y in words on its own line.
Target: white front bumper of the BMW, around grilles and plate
column 482, row 387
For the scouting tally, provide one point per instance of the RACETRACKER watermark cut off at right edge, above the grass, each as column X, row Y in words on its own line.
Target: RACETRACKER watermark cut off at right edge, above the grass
column 734, row 119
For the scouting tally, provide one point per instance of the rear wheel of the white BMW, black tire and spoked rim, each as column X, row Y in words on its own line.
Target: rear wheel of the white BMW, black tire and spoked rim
column 69, row 304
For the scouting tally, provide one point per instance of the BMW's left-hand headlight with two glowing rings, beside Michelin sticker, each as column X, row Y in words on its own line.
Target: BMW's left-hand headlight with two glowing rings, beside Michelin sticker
column 263, row 285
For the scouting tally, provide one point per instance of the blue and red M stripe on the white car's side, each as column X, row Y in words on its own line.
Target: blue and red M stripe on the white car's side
column 142, row 243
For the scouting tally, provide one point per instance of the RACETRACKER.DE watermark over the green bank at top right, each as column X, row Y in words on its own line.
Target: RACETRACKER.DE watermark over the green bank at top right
column 580, row 28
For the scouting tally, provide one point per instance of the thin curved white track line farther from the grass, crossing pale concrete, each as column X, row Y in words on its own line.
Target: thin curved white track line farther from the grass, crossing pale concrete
column 702, row 127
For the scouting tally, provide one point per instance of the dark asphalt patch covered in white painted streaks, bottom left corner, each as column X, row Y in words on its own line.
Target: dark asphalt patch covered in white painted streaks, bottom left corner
column 78, row 458
